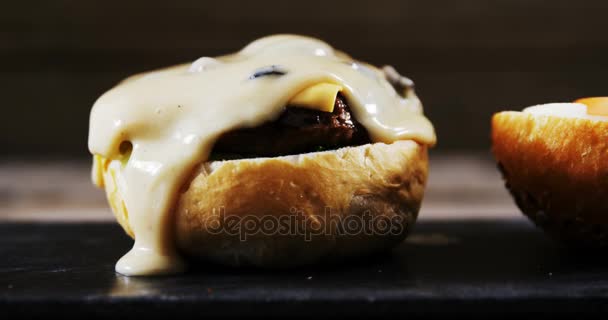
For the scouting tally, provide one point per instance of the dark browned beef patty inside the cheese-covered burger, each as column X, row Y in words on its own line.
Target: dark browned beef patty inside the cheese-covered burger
column 297, row 130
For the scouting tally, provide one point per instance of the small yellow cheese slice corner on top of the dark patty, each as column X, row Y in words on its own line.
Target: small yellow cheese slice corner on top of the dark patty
column 320, row 97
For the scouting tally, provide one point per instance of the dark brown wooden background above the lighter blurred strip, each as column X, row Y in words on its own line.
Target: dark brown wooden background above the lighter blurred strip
column 469, row 58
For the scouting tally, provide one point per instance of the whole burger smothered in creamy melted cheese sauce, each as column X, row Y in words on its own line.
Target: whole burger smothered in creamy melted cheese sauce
column 286, row 153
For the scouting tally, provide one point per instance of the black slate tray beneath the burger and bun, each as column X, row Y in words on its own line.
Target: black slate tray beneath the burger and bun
column 486, row 268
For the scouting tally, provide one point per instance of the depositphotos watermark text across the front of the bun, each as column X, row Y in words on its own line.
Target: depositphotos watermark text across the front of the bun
column 297, row 223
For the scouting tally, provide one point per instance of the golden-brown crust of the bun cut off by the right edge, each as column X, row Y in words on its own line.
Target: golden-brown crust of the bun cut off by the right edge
column 556, row 168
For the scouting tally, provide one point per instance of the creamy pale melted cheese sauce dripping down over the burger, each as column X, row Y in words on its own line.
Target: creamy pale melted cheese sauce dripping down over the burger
column 172, row 117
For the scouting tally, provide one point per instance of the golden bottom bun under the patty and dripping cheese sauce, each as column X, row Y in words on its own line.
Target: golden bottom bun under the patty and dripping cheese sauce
column 307, row 203
